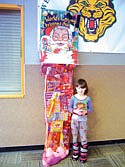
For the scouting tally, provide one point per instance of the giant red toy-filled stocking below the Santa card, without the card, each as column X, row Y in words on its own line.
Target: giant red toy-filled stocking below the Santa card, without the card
column 58, row 91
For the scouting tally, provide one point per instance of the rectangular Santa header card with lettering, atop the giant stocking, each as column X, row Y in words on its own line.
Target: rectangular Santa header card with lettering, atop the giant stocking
column 58, row 42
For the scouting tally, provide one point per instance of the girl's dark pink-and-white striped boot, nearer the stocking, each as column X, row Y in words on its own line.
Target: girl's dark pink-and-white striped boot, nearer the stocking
column 75, row 154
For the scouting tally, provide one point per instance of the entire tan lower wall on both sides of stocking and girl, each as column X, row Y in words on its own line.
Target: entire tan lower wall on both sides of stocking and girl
column 22, row 120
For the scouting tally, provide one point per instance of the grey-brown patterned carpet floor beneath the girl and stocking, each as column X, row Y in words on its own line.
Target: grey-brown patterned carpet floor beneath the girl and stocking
column 98, row 156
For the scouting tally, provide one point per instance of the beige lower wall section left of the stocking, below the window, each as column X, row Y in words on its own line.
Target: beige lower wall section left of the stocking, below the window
column 22, row 120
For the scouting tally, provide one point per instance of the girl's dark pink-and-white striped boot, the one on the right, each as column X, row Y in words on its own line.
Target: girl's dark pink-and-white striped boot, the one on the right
column 83, row 153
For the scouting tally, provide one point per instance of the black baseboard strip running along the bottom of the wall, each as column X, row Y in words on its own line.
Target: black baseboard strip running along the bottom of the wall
column 41, row 147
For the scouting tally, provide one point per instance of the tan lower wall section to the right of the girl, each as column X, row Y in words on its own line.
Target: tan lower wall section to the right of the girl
column 107, row 90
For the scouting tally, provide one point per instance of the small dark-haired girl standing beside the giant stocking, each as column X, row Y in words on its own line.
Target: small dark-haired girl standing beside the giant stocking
column 80, row 106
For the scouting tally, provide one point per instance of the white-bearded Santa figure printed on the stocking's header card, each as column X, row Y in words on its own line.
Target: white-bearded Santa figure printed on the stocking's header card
column 56, row 45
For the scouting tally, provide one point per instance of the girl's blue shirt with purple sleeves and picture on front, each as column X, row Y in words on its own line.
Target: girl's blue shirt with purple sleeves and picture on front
column 84, row 104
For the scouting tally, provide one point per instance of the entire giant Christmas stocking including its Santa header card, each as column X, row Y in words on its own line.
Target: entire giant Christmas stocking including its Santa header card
column 58, row 57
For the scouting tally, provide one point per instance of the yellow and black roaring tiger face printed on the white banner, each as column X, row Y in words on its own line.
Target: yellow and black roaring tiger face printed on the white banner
column 95, row 17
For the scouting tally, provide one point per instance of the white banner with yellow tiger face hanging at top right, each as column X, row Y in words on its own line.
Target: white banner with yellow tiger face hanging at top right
column 101, row 25
